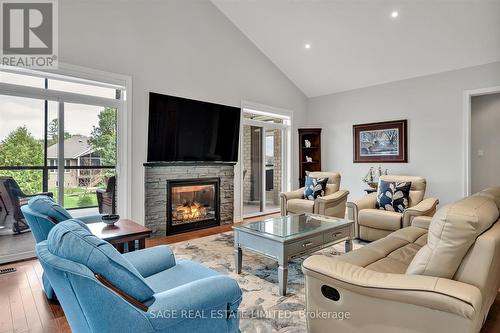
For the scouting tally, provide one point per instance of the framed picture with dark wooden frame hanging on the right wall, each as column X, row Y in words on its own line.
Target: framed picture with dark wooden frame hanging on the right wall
column 381, row 142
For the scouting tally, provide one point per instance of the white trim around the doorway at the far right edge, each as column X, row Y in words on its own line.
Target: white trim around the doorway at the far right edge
column 467, row 109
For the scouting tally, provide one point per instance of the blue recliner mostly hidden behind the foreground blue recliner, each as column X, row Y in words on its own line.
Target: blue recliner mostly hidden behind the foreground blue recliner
column 42, row 214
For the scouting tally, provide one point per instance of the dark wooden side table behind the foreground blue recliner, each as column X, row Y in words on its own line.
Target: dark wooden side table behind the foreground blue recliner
column 121, row 233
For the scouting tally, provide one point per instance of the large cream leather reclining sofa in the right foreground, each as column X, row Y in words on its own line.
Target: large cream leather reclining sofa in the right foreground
column 444, row 280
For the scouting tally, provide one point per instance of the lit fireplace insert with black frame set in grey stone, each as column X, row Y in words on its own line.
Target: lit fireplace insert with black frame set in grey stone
column 192, row 204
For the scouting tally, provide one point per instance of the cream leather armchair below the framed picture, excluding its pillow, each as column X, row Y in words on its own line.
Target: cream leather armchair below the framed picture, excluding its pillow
column 372, row 223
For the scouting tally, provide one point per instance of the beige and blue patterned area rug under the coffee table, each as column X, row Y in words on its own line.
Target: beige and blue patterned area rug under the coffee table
column 263, row 309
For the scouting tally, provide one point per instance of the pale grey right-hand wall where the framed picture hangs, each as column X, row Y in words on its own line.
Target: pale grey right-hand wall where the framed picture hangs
column 433, row 106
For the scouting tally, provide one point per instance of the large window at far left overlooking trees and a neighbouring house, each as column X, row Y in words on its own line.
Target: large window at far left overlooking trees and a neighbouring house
column 59, row 134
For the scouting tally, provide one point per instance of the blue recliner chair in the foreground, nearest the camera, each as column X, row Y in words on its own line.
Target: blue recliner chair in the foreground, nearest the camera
column 101, row 290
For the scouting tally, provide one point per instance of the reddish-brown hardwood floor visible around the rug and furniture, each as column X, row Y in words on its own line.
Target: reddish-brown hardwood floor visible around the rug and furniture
column 24, row 308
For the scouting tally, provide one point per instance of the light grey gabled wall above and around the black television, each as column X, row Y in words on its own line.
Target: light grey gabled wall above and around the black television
column 178, row 47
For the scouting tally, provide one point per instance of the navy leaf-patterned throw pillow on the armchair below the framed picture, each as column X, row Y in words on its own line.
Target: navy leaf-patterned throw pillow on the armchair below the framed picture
column 393, row 196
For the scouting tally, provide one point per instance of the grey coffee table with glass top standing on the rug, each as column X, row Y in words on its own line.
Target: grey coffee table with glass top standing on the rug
column 290, row 236
